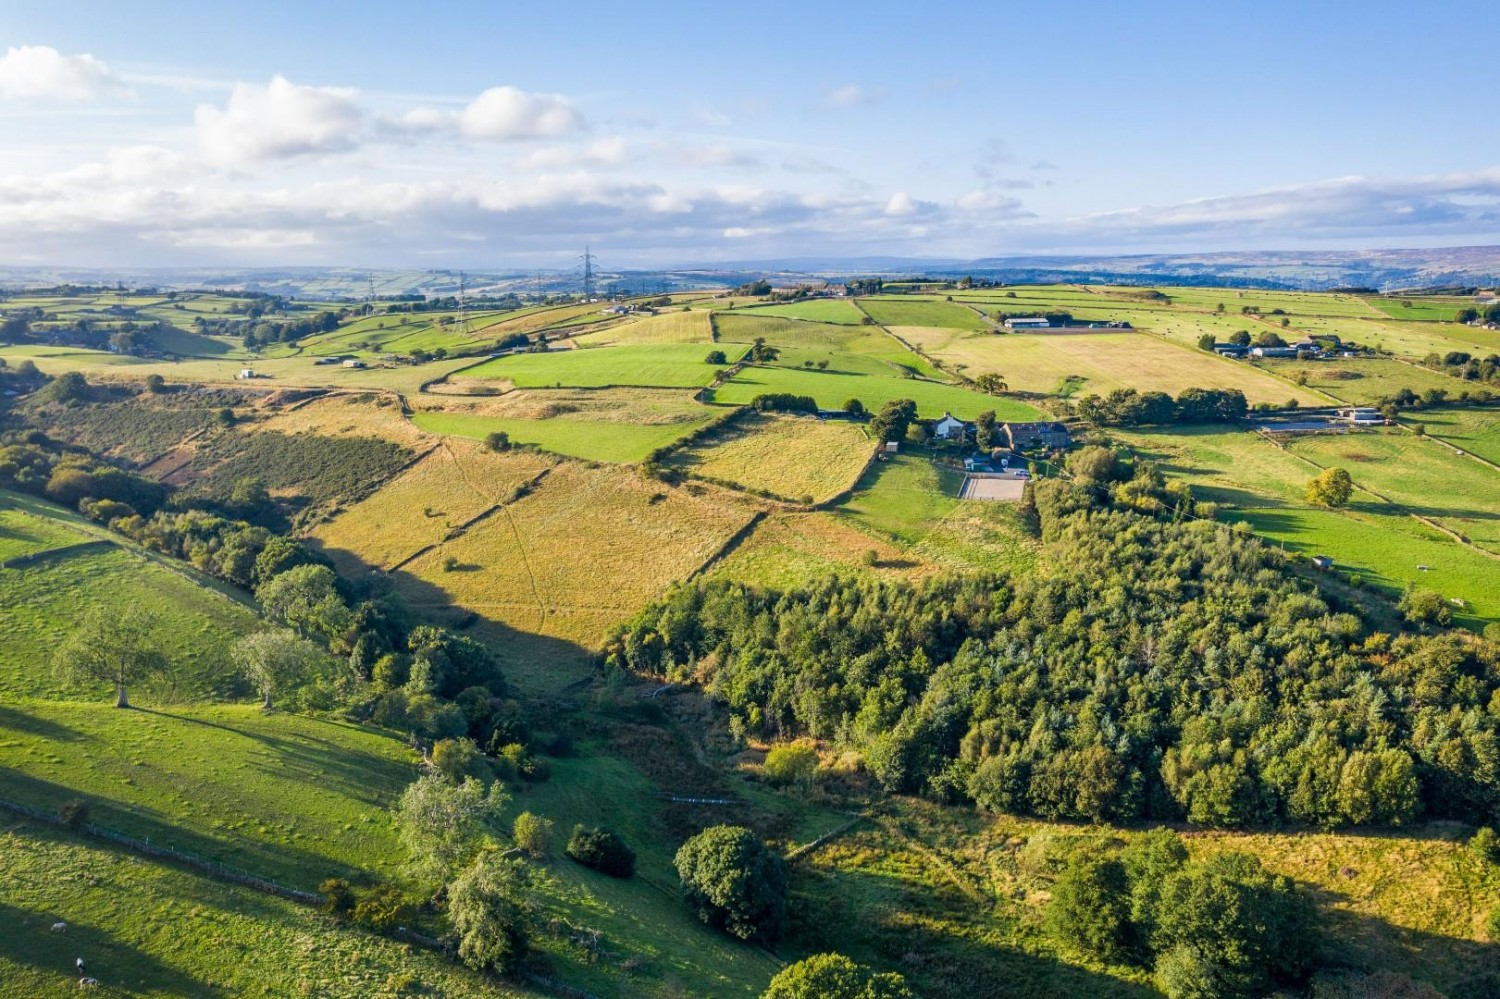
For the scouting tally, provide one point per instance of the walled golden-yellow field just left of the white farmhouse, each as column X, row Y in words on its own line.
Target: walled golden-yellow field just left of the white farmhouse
column 790, row 457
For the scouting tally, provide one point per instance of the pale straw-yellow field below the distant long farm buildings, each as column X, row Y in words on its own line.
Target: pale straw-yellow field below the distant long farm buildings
column 1105, row 361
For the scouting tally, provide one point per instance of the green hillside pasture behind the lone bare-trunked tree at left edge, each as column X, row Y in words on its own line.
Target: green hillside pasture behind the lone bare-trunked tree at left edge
column 194, row 622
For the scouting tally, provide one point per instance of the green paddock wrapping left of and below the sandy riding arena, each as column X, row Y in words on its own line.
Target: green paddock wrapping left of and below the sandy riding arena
column 913, row 502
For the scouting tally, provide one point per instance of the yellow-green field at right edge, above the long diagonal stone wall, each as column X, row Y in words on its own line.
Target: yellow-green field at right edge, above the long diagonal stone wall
column 1421, row 476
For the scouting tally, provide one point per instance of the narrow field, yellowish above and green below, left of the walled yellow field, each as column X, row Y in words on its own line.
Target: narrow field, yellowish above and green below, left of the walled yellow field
column 614, row 425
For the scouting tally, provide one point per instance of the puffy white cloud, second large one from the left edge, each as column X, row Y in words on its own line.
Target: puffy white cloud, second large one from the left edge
column 278, row 122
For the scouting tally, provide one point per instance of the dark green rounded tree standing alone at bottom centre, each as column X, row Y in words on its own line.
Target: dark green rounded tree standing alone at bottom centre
column 734, row 883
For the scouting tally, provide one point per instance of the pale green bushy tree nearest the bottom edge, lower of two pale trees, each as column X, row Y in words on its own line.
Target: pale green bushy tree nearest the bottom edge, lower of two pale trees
column 487, row 908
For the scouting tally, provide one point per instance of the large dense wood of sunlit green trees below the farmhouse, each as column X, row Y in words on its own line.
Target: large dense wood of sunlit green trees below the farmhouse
column 1160, row 670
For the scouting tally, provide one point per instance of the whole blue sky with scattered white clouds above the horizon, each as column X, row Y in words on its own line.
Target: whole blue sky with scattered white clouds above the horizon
column 487, row 136
